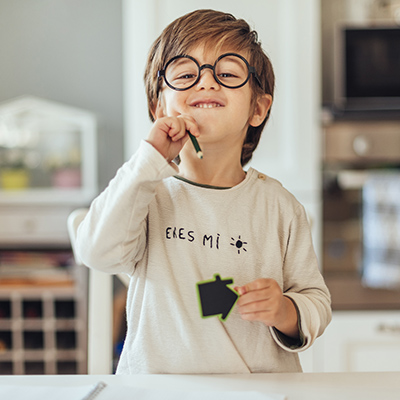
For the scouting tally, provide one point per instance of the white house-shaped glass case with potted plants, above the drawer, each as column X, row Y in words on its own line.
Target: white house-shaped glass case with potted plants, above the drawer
column 47, row 153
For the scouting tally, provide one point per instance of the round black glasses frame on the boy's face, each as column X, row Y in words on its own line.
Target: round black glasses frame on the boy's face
column 251, row 71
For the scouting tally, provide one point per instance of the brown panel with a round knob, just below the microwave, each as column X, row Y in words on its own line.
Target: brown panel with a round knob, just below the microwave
column 362, row 142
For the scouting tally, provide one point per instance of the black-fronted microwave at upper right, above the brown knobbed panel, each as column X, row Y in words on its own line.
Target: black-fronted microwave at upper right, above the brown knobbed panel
column 367, row 68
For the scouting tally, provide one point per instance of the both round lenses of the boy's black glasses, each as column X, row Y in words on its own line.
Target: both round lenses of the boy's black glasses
column 231, row 71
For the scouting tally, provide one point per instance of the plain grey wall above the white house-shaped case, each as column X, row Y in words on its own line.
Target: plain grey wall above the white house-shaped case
column 69, row 51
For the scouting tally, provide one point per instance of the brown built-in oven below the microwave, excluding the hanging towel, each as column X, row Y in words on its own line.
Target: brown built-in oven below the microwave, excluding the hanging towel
column 353, row 152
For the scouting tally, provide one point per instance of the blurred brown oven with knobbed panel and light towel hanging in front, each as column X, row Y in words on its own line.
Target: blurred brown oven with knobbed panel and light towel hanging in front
column 361, row 201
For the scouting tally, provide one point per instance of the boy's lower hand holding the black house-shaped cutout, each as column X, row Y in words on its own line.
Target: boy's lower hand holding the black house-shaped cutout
column 263, row 300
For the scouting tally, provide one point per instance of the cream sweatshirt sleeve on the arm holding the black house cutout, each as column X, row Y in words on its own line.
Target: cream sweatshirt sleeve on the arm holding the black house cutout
column 304, row 285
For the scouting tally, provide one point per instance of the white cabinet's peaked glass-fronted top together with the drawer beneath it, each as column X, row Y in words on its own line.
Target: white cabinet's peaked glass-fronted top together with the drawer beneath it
column 48, row 167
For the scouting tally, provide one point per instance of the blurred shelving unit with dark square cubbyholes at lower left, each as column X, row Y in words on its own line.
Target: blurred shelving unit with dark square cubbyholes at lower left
column 43, row 327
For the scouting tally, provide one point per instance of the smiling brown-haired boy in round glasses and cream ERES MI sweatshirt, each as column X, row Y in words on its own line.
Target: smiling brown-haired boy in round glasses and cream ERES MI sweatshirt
column 172, row 227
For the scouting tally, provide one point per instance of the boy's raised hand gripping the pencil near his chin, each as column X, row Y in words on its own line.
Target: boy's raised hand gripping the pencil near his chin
column 168, row 134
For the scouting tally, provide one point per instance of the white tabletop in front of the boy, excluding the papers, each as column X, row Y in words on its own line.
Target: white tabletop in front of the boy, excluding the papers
column 299, row 386
